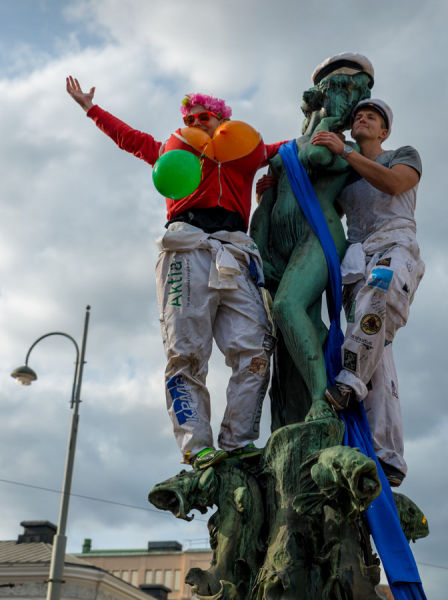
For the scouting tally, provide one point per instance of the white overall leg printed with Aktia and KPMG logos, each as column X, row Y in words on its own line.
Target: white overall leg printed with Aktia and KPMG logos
column 187, row 312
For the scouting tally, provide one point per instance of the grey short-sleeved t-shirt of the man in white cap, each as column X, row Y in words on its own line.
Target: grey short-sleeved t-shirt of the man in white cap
column 375, row 218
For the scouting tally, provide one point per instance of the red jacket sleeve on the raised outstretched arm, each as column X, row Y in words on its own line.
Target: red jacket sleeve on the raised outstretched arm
column 140, row 144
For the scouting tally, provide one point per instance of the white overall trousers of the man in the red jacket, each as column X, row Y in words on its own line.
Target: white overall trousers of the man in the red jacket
column 192, row 314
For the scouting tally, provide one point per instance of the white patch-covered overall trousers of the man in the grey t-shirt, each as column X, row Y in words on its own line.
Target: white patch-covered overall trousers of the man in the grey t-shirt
column 377, row 306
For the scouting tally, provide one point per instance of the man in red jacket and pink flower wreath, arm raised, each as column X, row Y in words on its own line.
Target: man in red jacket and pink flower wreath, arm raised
column 209, row 281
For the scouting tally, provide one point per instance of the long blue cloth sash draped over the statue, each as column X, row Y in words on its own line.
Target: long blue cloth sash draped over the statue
column 382, row 516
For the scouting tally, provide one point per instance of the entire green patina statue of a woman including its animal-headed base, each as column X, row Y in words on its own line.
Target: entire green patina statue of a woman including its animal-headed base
column 290, row 524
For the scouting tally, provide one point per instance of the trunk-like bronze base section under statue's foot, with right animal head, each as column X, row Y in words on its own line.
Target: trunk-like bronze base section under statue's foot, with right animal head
column 317, row 491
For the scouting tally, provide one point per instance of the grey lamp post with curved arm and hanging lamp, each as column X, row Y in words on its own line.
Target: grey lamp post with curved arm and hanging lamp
column 25, row 375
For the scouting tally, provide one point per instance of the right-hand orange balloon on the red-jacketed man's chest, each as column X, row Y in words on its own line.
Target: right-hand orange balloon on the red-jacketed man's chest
column 234, row 139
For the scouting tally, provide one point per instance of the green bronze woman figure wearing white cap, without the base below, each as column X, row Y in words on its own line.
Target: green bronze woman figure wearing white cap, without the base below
column 294, row 262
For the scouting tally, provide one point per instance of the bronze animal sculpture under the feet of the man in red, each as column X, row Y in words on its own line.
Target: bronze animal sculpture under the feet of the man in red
column 235, row 528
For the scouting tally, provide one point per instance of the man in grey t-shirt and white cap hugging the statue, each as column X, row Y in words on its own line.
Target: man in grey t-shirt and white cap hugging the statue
column 381, row 269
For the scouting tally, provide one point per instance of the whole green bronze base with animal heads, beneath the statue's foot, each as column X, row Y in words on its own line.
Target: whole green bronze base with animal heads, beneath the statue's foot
column 269, row 534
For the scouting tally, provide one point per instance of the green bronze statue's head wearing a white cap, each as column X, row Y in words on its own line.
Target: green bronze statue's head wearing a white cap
column 340, row 82
